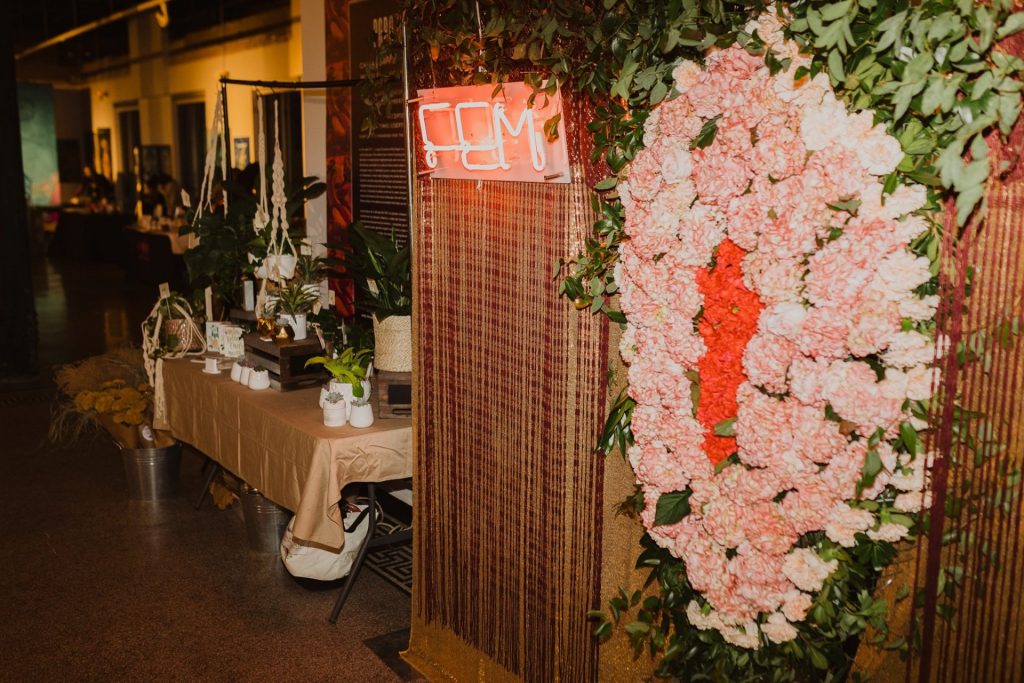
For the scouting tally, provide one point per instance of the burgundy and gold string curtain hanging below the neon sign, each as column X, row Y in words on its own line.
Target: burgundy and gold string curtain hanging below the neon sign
column 510, row 396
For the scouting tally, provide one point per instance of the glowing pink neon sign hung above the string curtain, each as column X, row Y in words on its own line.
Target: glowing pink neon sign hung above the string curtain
column 466, row 134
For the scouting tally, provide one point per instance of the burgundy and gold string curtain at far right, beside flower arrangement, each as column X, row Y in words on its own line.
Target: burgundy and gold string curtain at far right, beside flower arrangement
column 985, row 641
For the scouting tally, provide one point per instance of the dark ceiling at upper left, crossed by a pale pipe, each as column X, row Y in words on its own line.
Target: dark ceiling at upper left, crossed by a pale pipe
column 36, row 21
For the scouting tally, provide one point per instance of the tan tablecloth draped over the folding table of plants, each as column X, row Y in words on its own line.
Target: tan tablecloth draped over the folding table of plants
column 278, row 444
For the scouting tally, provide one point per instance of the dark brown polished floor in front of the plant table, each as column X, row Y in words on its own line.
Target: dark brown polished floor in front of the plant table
column 95, row 587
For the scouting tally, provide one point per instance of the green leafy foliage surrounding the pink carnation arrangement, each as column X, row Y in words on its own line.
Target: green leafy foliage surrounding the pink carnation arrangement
column 934, row 79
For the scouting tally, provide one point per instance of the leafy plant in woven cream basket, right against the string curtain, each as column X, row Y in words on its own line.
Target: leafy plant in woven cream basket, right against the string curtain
column 381, row 271
